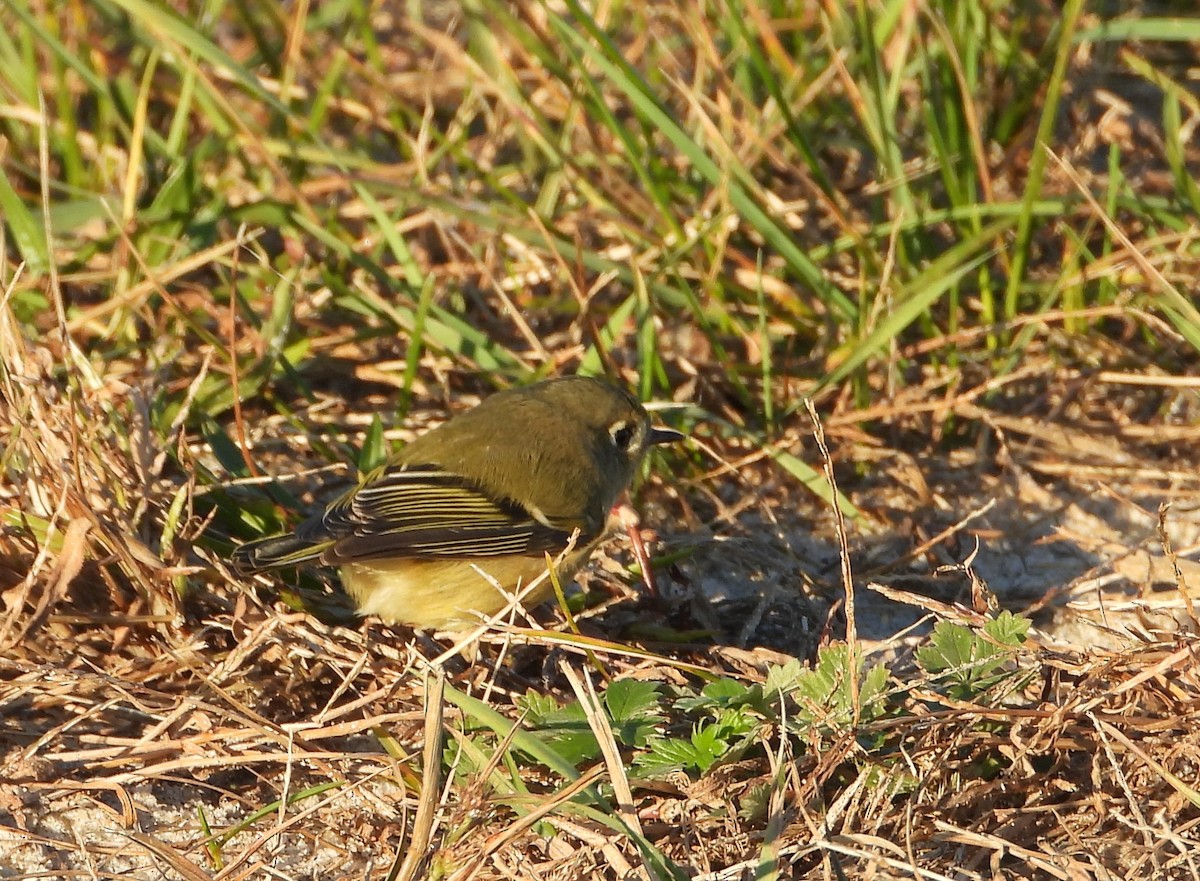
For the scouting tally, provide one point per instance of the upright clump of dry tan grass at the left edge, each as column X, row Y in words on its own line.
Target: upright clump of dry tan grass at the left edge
column 82, row 484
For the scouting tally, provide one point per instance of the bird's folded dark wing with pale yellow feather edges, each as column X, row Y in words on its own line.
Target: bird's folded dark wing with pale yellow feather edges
column 427, row 512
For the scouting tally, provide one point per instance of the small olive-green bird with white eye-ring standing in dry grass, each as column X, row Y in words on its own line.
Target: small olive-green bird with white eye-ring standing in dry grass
column 425, row 538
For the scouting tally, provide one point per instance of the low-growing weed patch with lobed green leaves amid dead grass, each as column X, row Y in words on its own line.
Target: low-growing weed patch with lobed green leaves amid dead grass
column 693, row 730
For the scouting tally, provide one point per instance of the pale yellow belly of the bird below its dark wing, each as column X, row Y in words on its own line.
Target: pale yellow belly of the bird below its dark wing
column 434, row 595
